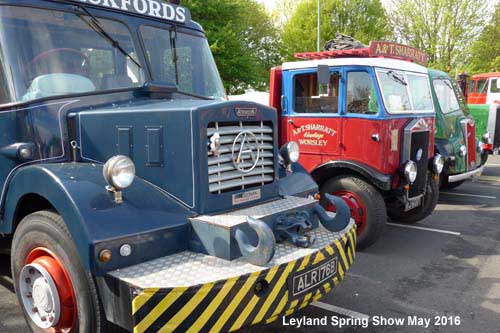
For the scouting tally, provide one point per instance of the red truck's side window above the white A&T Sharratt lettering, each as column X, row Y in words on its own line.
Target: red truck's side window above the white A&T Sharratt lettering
column 310, row 97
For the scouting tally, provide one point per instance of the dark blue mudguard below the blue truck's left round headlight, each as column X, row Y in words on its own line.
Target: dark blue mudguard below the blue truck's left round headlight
column 150, row 220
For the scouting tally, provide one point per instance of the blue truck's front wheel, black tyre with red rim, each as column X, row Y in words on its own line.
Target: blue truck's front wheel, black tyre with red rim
column 42, row 245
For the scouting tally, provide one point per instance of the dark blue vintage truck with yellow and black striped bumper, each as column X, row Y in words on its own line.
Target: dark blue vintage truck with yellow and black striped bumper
column 134, row 195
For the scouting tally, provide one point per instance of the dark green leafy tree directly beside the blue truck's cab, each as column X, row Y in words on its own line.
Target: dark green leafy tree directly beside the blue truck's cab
column 243, row 39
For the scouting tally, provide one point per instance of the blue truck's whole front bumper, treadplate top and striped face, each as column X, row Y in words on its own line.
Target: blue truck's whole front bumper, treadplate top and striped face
column 195, row 293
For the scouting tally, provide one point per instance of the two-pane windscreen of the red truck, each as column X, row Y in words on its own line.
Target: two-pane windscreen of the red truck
column 405, row 92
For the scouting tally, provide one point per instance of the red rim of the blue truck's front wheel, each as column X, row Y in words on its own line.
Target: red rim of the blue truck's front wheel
column 50, row 263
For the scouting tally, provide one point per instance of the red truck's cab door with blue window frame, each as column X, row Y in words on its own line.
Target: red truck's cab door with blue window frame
column 363, row 133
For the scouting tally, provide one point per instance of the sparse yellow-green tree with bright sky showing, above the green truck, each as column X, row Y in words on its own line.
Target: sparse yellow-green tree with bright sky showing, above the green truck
column 442, row 28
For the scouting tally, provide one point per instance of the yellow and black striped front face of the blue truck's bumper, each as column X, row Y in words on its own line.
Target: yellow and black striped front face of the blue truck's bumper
column 247, row 299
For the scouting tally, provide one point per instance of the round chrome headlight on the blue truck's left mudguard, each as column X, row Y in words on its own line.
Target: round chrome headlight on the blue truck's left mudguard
column 119, row 172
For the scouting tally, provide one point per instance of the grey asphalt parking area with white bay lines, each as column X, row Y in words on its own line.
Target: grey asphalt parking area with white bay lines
column 448, row 267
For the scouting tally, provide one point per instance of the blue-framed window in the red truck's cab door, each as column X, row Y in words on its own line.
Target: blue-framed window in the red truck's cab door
column 361, row 96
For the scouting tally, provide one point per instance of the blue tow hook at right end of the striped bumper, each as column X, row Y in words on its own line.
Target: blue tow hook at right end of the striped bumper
column 342, row 214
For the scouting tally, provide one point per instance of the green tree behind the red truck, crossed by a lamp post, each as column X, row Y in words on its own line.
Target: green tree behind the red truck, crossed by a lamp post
column 364, row 20
